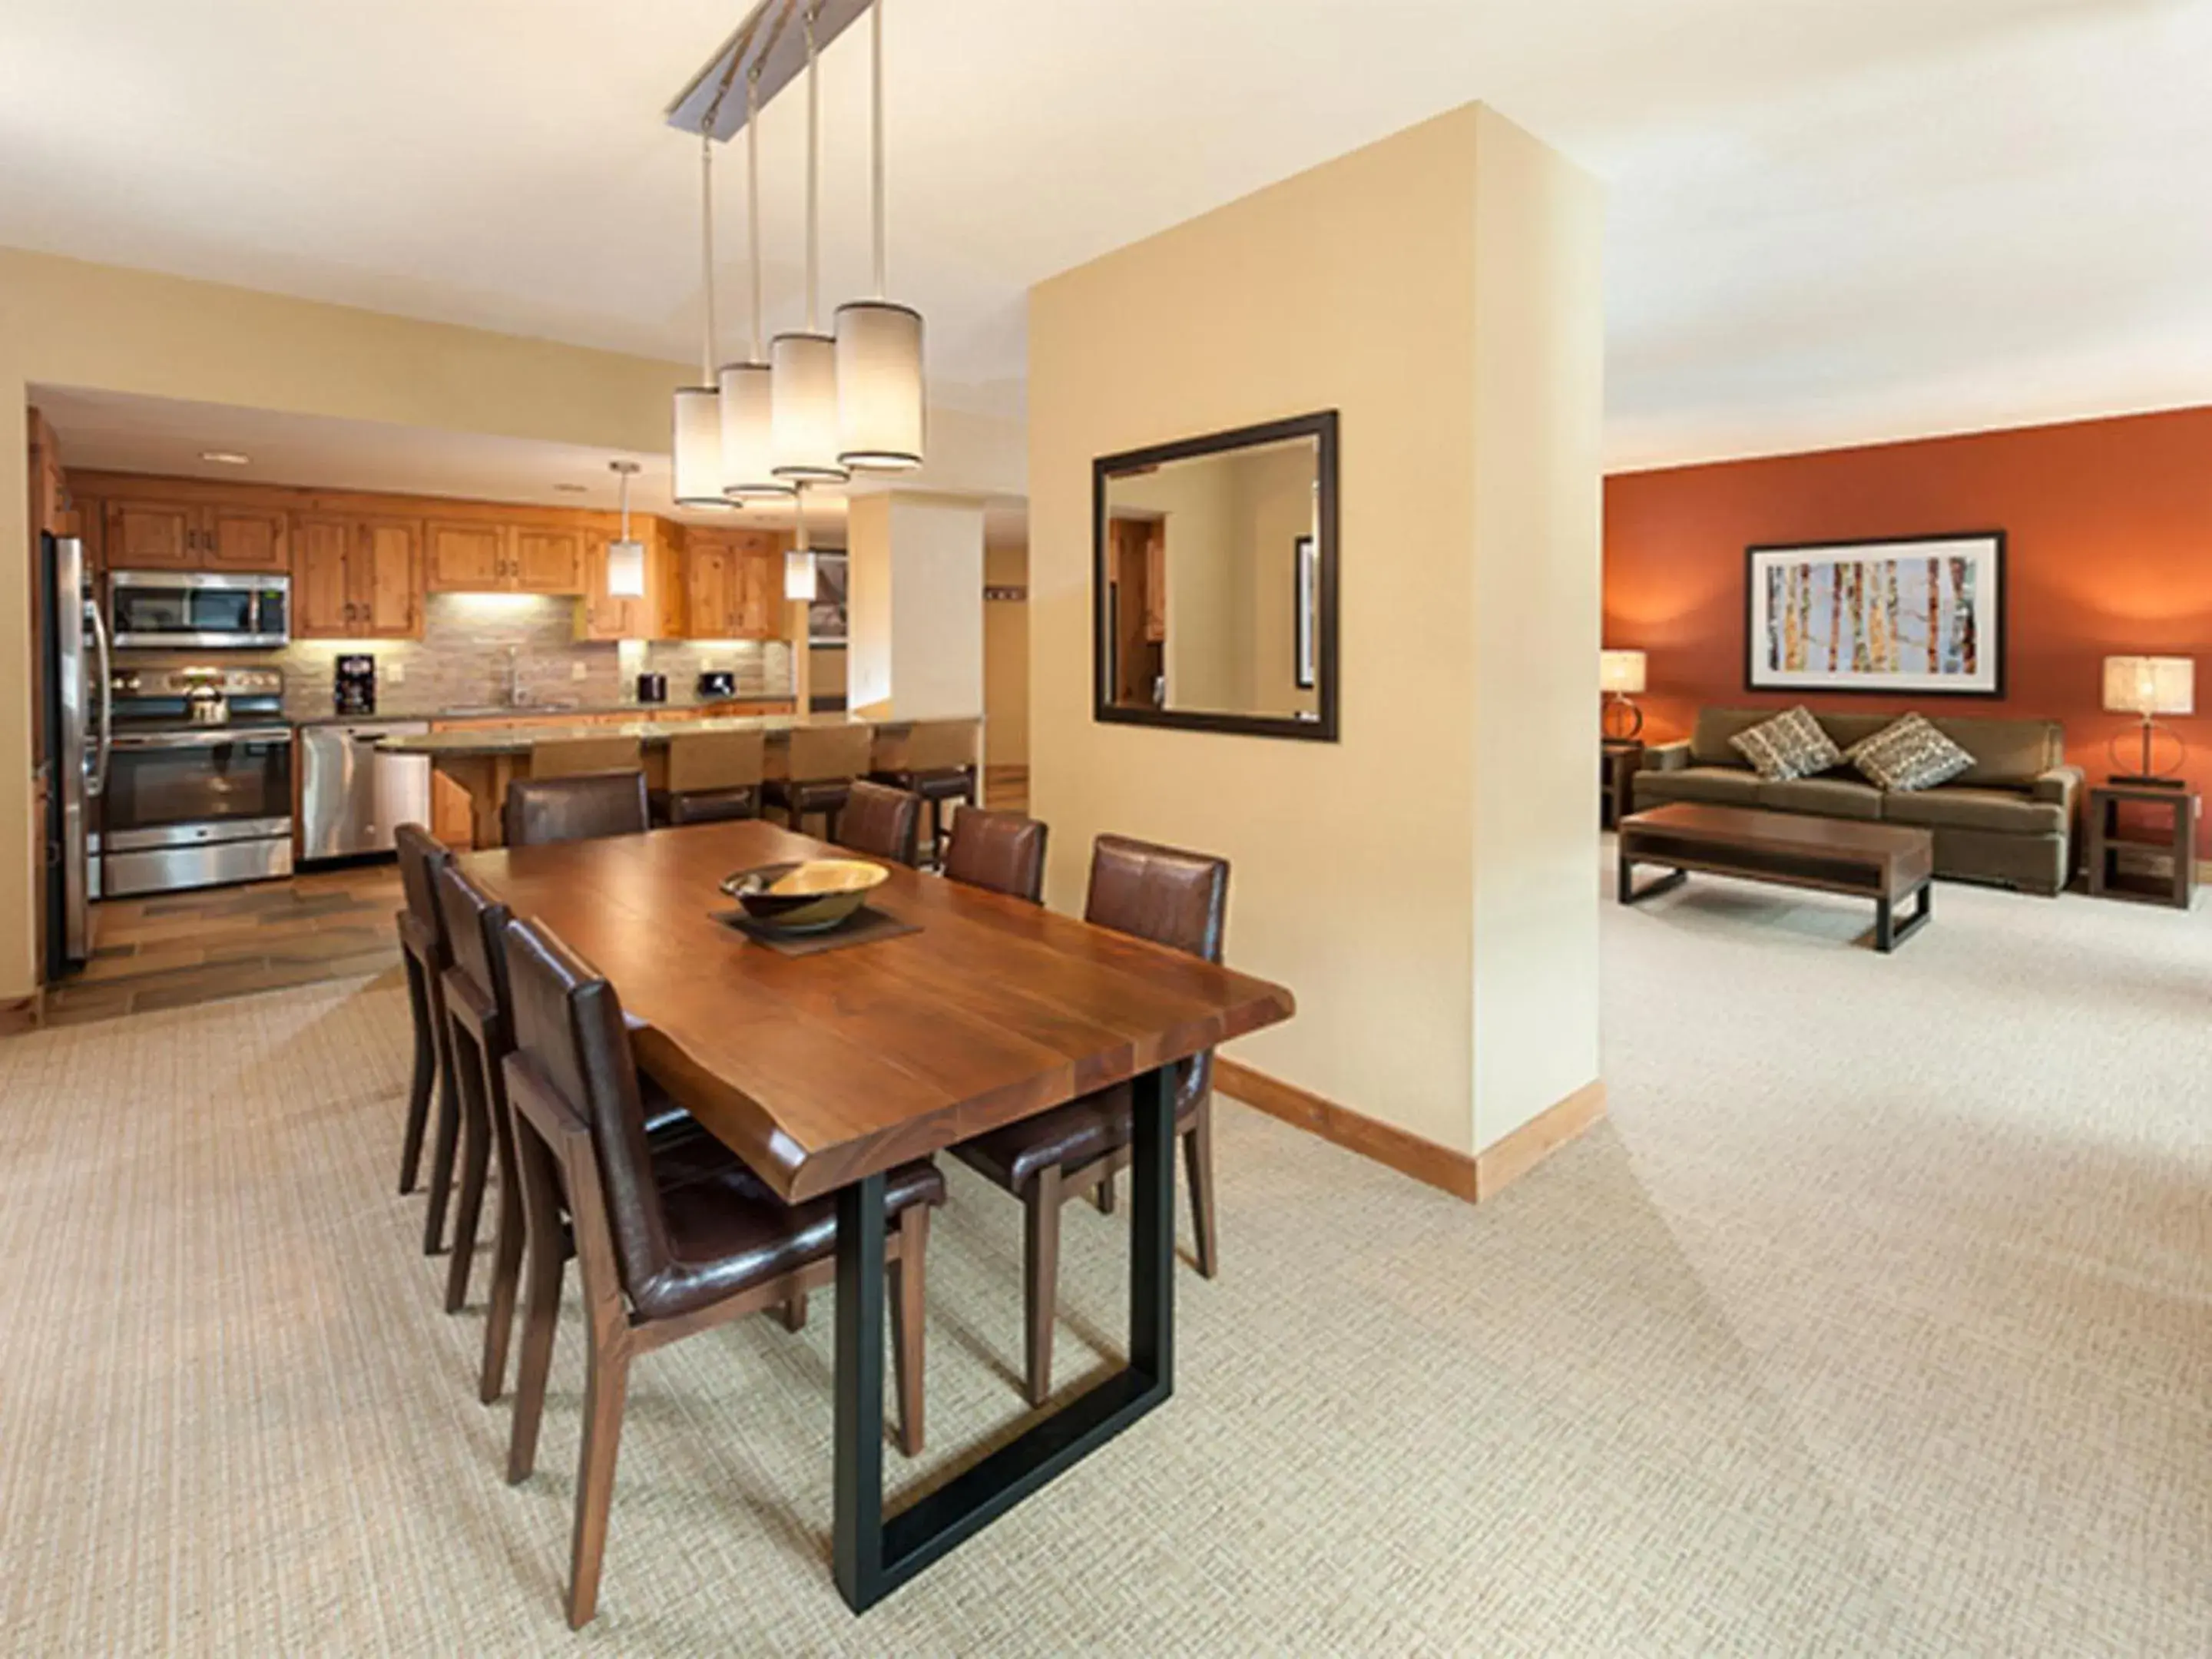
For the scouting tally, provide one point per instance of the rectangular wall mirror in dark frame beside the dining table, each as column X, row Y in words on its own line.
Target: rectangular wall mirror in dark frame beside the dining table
column 1213, row 583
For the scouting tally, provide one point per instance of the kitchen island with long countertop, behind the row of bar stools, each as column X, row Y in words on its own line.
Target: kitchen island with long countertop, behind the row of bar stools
column 474, row 760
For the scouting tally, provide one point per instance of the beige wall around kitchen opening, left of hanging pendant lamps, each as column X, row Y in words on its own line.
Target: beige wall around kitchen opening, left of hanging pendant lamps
column 118, row 331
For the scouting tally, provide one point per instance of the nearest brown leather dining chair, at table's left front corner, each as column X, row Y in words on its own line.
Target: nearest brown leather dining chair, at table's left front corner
column 665, row 1251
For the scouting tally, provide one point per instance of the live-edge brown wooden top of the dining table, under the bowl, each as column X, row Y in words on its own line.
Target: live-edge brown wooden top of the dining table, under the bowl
column 831, row 1067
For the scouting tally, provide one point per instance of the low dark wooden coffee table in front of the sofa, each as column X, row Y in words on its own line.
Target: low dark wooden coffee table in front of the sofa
column 1881, row 862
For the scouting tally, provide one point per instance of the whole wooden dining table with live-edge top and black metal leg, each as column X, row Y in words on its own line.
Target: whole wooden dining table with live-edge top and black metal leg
column 833, row 1067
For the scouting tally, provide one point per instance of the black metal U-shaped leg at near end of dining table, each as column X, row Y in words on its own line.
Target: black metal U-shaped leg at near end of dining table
column 875, row 1556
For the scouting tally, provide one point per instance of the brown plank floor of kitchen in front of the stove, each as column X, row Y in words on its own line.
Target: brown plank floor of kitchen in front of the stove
column 178, row 950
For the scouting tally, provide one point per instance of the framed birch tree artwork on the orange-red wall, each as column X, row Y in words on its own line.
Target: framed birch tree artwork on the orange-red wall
column 1908, row 614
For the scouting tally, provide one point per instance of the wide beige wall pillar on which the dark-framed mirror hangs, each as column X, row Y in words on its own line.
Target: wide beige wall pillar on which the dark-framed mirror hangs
column 1348, row 289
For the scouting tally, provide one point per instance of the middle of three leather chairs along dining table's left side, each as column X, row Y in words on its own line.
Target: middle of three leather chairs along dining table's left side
column 479, row 1023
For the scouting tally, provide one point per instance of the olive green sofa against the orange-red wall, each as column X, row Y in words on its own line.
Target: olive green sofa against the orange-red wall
column 2010, row 820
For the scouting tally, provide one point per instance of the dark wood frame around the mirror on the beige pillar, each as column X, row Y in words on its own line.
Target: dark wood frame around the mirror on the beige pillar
column 1322, row 428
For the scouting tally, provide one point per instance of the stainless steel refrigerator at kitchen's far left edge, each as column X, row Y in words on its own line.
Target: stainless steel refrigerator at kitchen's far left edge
column 79, row 727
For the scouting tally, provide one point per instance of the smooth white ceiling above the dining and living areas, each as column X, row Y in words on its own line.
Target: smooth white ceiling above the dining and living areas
column 1833, row 220
